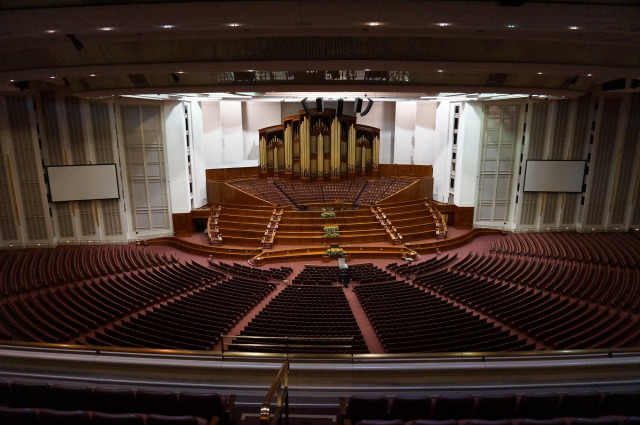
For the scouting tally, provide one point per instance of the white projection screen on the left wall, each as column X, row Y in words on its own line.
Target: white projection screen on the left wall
column 83, row 182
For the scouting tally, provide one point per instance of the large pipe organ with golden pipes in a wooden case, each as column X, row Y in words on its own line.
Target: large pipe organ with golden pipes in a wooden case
column 319, row 145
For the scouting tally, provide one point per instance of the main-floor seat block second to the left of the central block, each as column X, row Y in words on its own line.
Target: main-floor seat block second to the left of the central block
column 65, row 312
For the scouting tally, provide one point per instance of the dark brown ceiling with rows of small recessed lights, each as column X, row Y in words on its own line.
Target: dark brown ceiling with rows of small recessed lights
column 394, row 48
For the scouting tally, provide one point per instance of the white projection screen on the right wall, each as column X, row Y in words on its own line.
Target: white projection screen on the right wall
column 554, row 176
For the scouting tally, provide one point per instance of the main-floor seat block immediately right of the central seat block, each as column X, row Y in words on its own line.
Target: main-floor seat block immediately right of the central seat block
column 408, row 319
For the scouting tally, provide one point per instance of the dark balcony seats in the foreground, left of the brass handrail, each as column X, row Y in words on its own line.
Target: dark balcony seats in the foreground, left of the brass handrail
column 28, row 403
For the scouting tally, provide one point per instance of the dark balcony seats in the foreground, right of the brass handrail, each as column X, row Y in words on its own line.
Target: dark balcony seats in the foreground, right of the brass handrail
column 592, row 407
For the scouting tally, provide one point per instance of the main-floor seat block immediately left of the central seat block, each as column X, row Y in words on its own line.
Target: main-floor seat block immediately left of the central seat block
column 193, row 321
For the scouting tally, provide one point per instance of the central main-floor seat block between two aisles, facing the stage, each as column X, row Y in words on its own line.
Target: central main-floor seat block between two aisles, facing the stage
column 311, row 312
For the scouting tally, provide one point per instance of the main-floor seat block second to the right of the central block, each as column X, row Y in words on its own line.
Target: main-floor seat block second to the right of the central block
column 558, row 321
